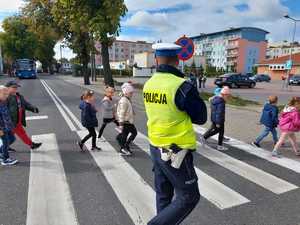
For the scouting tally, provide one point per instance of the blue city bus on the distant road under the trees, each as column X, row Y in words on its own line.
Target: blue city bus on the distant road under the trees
column 25, row 68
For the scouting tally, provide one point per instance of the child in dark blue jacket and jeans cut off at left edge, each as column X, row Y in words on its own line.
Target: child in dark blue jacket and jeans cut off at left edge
column 6, row 127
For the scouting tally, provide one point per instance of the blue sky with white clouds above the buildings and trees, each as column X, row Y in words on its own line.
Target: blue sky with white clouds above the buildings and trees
column 152, row 20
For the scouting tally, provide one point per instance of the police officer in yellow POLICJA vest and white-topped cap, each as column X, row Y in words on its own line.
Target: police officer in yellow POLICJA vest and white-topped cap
column 172, row 105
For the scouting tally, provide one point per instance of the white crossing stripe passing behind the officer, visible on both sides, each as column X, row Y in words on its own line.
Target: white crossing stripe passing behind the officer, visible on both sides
column 214, row 191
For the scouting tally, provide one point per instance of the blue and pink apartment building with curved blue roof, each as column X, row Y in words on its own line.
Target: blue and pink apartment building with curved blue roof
column 235, row 49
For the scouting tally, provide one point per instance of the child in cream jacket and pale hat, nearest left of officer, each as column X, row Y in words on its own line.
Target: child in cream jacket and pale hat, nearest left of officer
column 125, row 116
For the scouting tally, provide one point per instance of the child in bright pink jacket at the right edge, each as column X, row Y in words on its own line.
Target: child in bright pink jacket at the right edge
column 289, row 124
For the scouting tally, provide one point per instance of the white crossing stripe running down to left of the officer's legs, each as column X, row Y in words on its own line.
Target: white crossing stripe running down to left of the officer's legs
column 137, row 197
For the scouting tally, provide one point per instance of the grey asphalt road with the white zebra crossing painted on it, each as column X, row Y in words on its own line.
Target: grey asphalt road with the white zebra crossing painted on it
column 60, row 185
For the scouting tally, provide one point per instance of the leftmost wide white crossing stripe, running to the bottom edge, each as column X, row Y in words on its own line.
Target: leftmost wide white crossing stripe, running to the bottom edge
column 49, row 197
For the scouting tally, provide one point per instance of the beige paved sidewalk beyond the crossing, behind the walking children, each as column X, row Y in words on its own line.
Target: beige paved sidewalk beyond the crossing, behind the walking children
column 241, row 123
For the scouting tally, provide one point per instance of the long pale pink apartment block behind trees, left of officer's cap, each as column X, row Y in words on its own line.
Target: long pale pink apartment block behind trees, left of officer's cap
column 123, row 51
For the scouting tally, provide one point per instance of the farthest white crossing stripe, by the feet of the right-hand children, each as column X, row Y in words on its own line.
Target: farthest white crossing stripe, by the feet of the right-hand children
column 261, row 153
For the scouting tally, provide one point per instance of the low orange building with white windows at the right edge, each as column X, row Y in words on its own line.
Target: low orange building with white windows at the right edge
column 276, row 68
